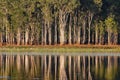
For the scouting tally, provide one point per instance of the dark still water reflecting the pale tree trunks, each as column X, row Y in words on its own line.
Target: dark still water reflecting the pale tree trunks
column 59, row 67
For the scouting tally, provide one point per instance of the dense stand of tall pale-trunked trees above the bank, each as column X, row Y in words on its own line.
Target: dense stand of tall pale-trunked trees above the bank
column 51, row 22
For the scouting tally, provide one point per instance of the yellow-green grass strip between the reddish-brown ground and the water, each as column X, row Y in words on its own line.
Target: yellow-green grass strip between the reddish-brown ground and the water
column 57, row 49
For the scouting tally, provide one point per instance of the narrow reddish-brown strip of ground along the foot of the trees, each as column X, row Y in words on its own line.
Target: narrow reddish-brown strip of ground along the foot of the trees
column 72, row 45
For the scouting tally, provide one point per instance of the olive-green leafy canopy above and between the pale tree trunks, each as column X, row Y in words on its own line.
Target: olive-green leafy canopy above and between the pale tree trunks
column 33, row 14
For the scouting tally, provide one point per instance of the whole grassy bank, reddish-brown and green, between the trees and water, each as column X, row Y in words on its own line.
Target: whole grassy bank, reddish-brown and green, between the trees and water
column 65, row 48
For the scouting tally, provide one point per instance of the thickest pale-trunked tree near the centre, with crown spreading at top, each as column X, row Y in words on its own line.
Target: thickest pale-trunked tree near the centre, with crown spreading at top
column 64, row 7
